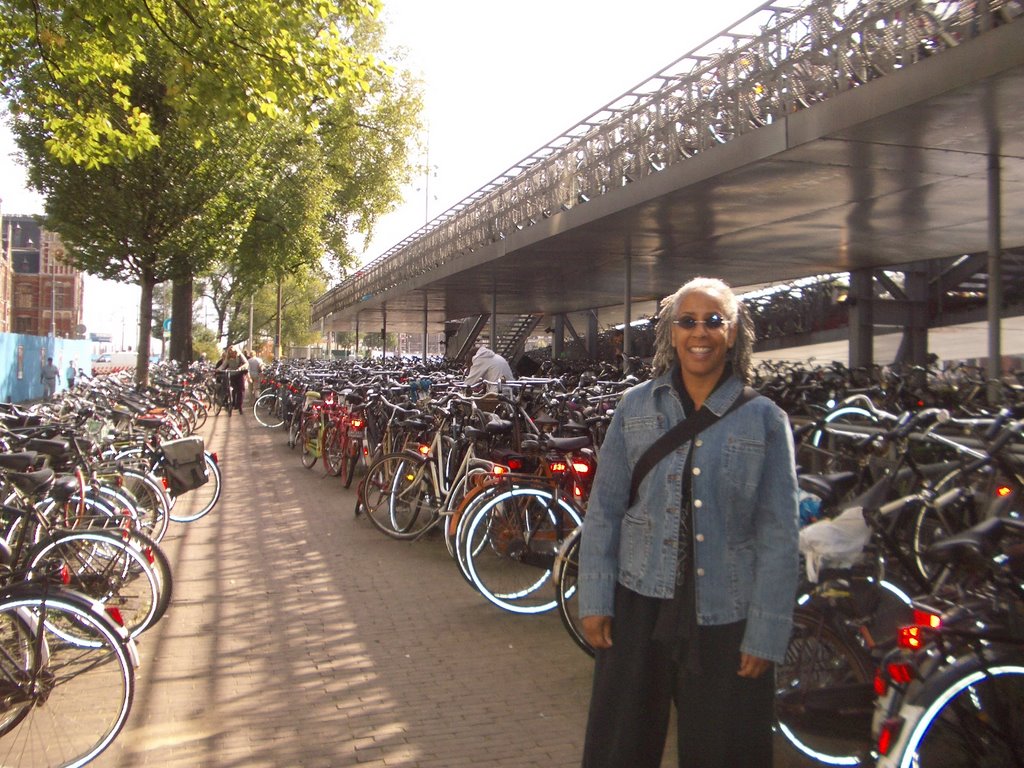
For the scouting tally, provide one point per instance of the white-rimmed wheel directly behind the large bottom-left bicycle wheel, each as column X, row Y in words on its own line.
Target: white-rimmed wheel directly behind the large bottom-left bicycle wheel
column 107, row 569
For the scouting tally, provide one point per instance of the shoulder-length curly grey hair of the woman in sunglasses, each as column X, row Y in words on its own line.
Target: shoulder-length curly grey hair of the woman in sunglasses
column 735, row 311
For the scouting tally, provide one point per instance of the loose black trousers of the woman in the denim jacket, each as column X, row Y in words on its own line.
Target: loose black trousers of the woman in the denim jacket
column 724, row 721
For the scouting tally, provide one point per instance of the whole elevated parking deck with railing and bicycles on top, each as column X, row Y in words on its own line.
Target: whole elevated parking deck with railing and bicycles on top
column 808, row 139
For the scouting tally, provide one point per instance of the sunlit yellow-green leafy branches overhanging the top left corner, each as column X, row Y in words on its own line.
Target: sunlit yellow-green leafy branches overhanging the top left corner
column 68, row 67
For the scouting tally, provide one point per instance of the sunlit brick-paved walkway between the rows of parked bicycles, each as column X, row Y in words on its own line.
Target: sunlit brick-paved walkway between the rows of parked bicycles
column 301, row 636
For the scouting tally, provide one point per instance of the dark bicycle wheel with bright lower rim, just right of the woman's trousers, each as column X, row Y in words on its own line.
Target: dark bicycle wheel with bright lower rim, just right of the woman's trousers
column 819, row 665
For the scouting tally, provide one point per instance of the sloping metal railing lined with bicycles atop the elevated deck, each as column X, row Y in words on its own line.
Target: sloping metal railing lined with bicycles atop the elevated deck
column 780, row 59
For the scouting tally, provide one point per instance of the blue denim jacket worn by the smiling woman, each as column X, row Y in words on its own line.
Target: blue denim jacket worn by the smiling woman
column 745, row 515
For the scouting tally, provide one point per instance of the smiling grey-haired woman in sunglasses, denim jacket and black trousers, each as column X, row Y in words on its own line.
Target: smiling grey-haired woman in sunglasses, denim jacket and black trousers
column 688, row 595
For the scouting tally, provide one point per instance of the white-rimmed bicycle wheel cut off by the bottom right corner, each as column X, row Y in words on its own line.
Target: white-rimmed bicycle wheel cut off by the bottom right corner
column 977, row 720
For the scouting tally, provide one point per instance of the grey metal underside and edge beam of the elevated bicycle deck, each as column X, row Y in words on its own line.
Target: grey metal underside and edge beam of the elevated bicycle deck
column 890, row 174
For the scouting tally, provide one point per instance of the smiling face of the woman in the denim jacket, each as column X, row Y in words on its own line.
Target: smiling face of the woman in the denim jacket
column 703, row 351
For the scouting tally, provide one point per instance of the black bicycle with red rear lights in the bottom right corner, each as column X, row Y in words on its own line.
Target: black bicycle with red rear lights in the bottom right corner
column 952, row 696
